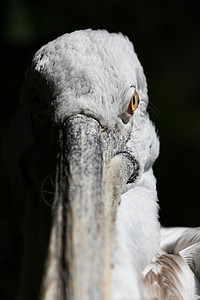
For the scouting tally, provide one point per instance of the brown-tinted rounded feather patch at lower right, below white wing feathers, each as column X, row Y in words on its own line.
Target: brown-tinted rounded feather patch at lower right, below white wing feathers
column 168, row 277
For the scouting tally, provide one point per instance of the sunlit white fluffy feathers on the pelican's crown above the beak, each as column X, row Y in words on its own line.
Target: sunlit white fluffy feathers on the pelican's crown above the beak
column 91, row 73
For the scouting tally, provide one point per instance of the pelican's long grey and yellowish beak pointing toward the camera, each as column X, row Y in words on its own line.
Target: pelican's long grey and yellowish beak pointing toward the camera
column 83, row 219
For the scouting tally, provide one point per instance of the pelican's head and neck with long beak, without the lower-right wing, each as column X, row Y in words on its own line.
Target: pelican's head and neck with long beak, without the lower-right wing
column 79, row 152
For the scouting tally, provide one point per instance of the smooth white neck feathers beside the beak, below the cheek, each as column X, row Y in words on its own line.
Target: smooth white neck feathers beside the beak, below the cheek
column 138, row 233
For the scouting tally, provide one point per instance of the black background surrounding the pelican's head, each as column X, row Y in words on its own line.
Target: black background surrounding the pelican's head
column 166, row 36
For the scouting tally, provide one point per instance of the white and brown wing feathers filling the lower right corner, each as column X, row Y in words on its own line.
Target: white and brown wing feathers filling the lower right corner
column 176, row 273
